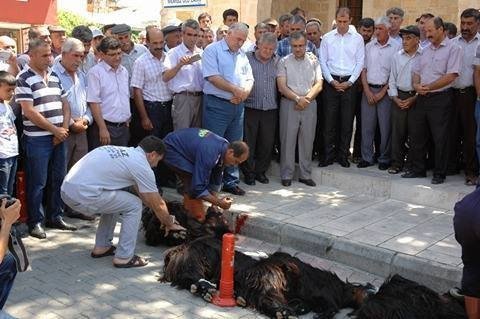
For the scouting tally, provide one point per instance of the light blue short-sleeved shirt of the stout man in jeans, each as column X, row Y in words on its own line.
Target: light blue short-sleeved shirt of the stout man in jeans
column 234, row 67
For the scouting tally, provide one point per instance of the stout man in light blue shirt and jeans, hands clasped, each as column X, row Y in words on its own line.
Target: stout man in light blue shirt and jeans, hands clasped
column 229, row 82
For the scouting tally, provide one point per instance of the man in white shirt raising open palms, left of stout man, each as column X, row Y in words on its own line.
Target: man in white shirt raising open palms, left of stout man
column 183, row 74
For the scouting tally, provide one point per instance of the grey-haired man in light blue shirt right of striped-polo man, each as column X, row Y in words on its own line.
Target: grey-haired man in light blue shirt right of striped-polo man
column 74, row 83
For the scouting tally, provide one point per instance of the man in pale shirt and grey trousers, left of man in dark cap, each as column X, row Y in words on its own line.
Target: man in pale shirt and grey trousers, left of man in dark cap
column 376, row 105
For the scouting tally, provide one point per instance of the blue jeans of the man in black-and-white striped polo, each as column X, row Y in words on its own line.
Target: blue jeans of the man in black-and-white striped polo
column 44, row 161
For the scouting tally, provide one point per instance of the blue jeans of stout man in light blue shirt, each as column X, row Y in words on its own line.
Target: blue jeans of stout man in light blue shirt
column 224, row 119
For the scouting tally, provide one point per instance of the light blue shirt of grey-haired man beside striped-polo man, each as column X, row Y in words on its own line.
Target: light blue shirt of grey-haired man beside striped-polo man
column 76, row 92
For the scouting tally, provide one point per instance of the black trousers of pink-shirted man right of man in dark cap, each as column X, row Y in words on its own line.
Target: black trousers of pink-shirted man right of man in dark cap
column 432, row 113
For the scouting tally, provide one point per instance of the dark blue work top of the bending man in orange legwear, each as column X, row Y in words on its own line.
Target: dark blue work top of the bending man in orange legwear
column 200, row 153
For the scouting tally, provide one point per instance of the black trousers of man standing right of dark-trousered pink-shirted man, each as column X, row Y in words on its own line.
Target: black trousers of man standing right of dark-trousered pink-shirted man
column 462, row 135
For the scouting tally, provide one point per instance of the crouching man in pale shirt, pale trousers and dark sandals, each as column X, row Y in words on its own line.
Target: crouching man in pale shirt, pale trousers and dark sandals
column 96, row 185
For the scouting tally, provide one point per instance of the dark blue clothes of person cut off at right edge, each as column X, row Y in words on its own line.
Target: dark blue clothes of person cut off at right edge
column 467, row 232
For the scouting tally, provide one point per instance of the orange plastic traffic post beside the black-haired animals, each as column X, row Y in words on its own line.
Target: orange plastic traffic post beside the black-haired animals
column 225, row 296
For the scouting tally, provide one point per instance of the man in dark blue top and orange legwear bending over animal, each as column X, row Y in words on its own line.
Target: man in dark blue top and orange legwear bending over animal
column 198, row 157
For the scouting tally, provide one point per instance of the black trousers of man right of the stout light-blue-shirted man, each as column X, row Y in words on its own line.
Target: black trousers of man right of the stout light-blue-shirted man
column 259, row 134
